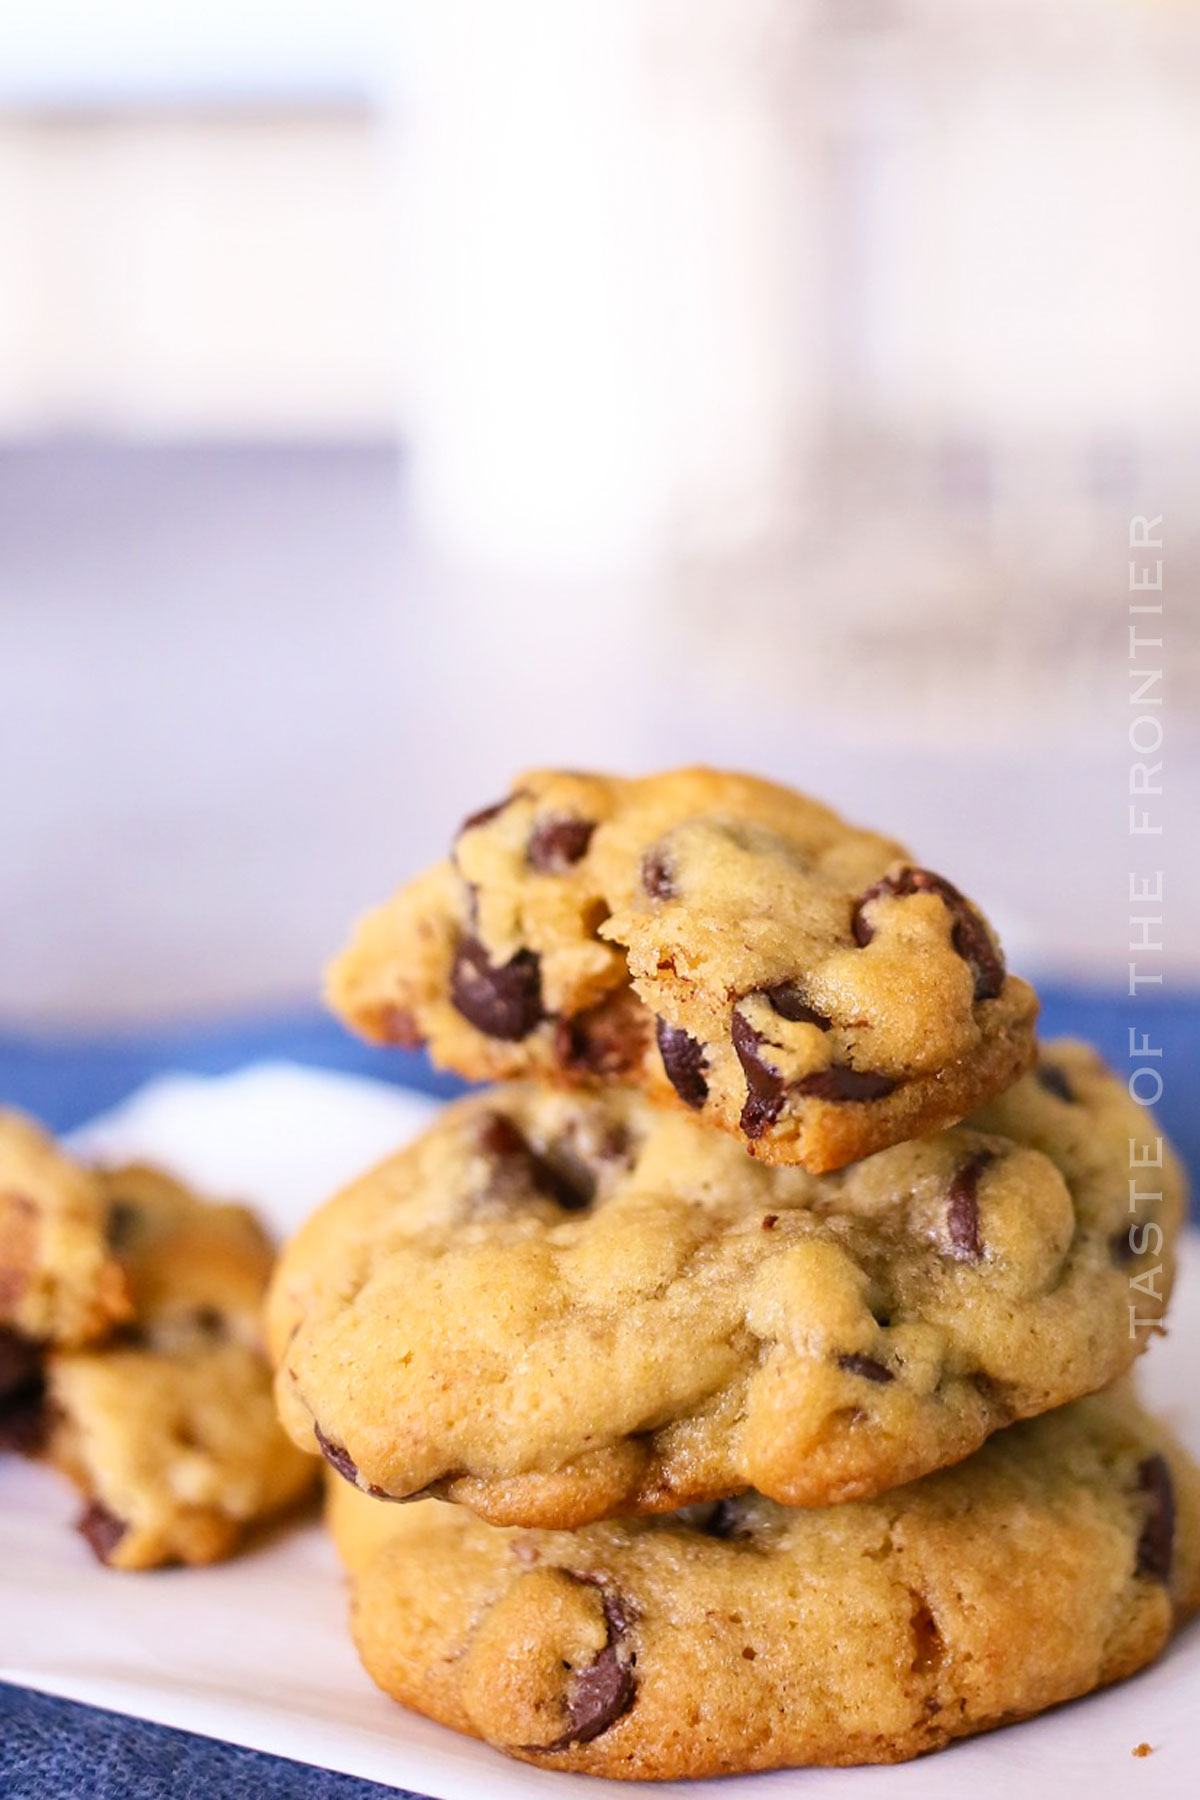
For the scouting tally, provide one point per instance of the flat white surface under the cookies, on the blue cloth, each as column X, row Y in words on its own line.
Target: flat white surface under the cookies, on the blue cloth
column 256, row 1651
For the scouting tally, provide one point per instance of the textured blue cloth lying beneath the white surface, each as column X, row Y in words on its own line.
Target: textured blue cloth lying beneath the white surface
column 55, row 1750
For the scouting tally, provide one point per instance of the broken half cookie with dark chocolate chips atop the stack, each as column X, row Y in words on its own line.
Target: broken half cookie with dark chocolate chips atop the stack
column 712, row 939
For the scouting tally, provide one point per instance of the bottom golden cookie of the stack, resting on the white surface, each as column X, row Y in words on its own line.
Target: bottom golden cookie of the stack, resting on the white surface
column 746, row 1635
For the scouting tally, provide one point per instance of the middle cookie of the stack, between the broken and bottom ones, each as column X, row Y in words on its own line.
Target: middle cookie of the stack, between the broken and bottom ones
column 562, row 1306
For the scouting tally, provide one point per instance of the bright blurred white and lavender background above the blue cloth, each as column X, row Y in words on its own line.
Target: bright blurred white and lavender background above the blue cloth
column 397, row 395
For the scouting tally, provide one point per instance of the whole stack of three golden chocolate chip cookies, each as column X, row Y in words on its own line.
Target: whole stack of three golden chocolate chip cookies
column 757, row 1349
